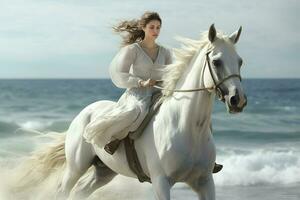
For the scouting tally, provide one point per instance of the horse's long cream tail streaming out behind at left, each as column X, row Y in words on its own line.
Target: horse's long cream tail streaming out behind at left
column 41, row 164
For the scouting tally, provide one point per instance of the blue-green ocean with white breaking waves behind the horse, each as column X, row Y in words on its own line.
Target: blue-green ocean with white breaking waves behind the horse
column 259, row 148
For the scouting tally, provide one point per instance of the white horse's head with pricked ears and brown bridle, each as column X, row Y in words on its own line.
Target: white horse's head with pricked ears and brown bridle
column 222, row 70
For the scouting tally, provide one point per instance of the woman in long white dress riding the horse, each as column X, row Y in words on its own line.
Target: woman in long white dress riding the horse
column 137, row 67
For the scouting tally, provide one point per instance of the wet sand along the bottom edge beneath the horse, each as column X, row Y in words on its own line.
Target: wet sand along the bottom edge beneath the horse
column 127, row 188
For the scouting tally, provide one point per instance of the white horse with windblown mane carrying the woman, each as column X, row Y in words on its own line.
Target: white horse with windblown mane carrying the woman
column 177, row 145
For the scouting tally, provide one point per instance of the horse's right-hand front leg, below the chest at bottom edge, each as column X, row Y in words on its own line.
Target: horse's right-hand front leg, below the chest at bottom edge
column 205, row 188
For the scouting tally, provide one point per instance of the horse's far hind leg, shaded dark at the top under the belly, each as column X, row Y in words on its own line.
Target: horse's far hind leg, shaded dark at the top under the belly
column 100, row 176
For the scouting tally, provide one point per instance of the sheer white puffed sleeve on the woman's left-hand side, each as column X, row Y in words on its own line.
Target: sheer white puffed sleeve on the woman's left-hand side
column 120, row 68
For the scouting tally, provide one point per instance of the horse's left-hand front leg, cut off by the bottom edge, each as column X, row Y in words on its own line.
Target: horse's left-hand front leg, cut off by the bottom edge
column 161, row 186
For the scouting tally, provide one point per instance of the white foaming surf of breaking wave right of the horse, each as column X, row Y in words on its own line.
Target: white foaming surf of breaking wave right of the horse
column 262, row 166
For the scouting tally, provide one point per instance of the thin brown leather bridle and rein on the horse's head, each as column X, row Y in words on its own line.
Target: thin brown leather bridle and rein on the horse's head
column 216, row 86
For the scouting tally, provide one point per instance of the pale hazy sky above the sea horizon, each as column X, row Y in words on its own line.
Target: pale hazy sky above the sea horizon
column 74, row 39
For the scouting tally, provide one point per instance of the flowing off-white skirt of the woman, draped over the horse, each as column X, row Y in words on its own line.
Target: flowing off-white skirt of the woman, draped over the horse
column 118, row 119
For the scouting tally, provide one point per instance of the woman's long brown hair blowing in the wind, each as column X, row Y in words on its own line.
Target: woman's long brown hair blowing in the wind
column 133, row 28
